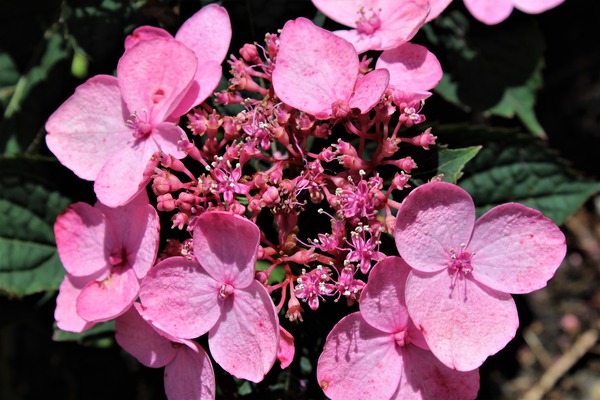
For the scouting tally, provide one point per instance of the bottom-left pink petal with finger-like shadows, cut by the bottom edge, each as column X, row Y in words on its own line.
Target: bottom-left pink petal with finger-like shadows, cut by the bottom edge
column 359, row 362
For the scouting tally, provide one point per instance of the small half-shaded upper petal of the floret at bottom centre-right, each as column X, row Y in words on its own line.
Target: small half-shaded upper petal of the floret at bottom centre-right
column 382, row 302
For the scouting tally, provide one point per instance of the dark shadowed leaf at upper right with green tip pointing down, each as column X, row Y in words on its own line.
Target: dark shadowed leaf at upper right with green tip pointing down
column 490, row 69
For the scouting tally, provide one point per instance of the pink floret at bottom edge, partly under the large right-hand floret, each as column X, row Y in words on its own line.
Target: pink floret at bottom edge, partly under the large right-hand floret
column 378, row 353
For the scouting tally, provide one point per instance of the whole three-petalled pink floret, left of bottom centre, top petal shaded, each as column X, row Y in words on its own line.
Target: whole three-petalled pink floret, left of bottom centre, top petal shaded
column 219, row 296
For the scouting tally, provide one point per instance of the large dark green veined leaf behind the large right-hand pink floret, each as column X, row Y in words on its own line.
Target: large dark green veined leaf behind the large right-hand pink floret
column 516, row 167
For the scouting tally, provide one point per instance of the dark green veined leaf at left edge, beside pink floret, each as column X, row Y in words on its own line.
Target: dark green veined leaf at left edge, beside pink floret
column 29, row 205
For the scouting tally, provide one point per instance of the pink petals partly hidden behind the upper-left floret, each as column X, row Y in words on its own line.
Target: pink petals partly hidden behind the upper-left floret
column 208, row 34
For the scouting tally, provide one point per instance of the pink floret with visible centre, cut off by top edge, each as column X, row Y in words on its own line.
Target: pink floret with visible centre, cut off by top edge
column 379, row 24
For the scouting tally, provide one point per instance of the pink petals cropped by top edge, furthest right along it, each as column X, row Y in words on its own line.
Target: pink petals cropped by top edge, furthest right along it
column 492, row 12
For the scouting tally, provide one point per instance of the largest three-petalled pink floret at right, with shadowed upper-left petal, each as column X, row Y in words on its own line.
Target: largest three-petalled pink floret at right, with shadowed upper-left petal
column 463, row 271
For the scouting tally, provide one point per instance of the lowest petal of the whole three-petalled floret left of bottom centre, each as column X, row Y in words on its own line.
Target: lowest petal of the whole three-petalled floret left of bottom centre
column 245, row 340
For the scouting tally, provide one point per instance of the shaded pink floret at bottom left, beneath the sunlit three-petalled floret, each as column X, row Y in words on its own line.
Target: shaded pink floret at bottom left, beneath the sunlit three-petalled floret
column 188, row 371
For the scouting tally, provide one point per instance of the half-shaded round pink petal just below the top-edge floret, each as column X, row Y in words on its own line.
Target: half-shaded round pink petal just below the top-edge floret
column 412, row 68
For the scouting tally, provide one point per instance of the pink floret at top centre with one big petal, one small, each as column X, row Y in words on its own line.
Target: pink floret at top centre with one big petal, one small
column 318, row 73
